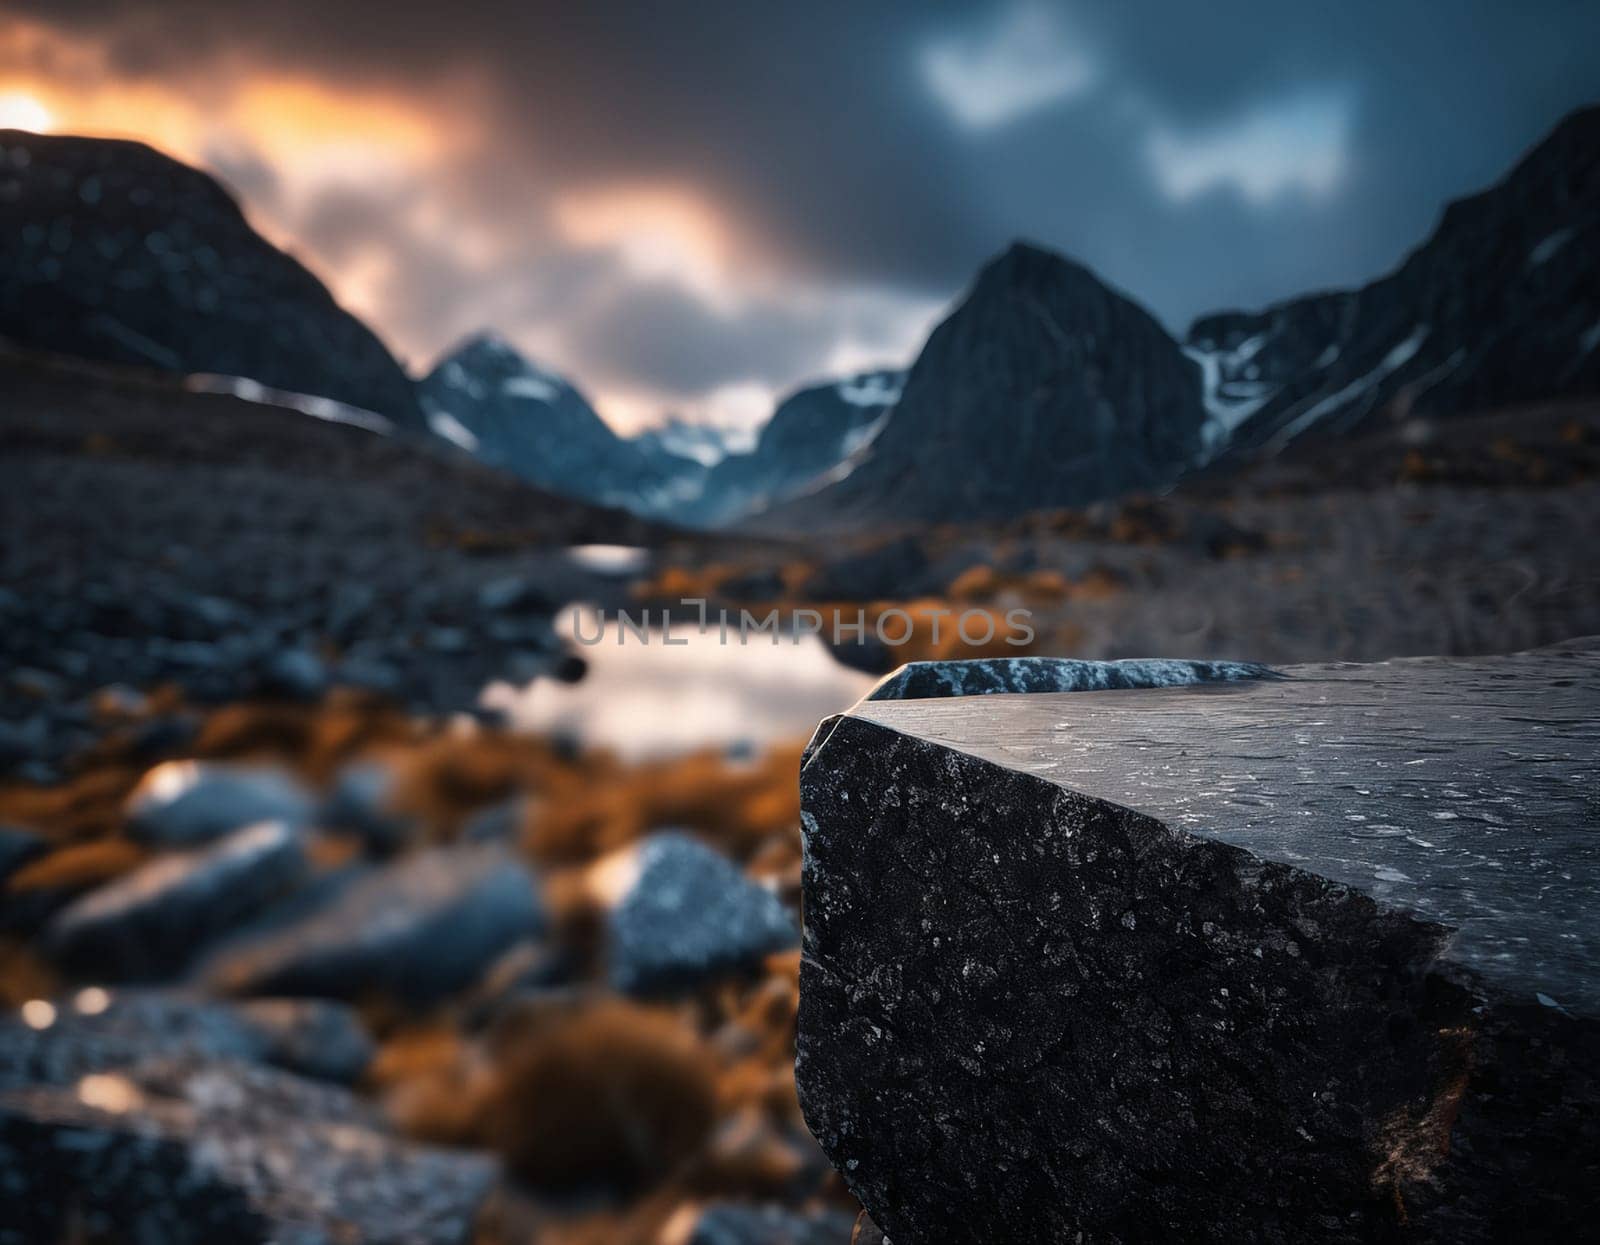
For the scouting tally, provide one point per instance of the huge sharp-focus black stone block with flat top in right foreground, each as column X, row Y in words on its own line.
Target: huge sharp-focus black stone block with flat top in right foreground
column 1302, row 959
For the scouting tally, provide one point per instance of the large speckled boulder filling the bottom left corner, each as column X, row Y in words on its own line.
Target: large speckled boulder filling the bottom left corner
column 201, row 1151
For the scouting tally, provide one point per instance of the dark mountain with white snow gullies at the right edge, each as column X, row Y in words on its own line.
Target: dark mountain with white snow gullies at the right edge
column 1500, row 305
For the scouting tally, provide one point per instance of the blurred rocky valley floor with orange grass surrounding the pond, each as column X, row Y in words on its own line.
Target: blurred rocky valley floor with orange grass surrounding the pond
column 297, row 943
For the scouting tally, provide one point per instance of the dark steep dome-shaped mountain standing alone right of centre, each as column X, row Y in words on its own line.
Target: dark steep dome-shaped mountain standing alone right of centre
column 1044, row 388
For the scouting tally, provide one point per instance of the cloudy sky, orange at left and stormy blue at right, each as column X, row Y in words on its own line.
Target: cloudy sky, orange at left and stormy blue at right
column 694, row 209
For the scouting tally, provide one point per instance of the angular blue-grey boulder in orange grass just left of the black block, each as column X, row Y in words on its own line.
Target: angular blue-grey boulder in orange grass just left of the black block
column 690, row 915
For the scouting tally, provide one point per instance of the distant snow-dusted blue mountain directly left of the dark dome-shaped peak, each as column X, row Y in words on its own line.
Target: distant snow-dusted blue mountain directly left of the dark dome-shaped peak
column 817, row 436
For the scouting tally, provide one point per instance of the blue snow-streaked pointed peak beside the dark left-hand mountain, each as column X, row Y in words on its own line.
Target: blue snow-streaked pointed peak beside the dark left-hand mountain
column 506, row 410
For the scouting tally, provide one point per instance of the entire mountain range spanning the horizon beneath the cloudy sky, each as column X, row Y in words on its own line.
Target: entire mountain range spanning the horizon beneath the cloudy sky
column 1044, row 388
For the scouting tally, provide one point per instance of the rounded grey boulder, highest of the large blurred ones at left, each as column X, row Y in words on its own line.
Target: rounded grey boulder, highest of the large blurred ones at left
column 188, row 803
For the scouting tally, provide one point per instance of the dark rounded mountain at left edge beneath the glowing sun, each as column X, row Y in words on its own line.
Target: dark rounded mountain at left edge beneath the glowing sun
column 114, row 252
